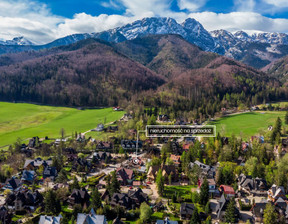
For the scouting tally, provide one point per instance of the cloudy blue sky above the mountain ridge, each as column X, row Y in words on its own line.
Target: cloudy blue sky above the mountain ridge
column 42, row 21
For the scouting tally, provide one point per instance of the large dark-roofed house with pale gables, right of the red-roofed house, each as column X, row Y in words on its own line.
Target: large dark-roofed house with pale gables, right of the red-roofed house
column 252, row 186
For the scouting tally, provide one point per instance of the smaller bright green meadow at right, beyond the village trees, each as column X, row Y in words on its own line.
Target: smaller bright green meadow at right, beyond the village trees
column 247, row 124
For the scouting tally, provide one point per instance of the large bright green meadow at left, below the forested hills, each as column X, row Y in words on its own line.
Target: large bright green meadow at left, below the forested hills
column 20, row 120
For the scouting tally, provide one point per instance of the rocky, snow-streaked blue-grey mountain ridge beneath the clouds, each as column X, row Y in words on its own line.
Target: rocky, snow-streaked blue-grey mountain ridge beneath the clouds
column 256, row 50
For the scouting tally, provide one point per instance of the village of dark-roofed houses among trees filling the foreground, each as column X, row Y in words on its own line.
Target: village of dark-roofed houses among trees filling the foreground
column 170, row 180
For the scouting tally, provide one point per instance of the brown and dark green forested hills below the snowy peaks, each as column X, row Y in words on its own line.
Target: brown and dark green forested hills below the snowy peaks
column 94, row 72
